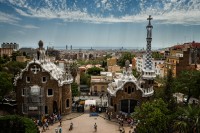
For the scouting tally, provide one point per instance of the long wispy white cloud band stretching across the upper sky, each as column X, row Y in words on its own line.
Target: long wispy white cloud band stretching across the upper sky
column 173, row 12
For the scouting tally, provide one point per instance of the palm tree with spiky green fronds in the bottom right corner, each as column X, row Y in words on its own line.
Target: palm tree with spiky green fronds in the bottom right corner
column 188, row 121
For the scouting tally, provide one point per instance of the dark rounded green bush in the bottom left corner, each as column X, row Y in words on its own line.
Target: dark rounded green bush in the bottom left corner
column 14, row 123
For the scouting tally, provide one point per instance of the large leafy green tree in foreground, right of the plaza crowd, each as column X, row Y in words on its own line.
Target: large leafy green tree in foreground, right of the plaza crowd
column 152, row 117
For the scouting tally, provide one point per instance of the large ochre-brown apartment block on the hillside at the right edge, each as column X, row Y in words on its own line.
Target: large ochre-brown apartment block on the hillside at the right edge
column 182, row 57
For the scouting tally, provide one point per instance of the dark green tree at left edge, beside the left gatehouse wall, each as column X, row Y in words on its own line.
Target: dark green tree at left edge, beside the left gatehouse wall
column 5, row 84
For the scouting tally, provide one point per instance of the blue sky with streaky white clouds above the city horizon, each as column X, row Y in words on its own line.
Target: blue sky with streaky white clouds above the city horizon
column 98, row 23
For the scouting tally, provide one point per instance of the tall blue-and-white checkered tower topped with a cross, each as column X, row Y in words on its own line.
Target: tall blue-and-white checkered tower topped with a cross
column 148, row 74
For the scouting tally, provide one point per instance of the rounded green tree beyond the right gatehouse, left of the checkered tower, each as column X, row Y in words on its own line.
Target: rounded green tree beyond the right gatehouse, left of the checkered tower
column 125, row 56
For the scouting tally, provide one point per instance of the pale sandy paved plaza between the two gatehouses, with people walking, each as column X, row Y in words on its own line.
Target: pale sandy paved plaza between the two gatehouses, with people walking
column 83, row 123
